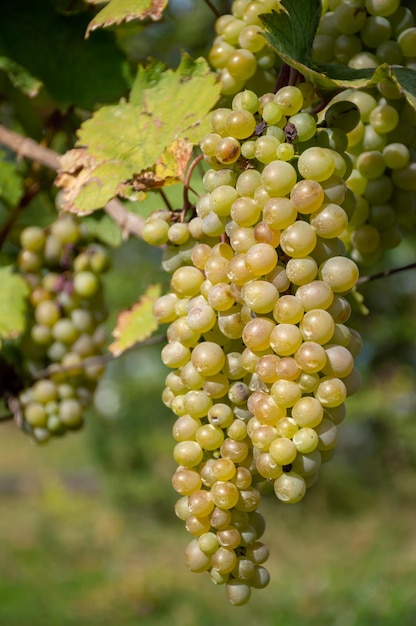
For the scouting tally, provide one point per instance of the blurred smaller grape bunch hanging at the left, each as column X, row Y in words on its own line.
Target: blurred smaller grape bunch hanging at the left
column 61, row 354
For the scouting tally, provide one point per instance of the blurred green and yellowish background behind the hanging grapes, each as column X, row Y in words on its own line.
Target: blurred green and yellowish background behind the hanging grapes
column 87, row 530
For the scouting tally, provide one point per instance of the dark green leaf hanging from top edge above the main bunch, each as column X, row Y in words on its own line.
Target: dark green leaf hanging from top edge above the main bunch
column 291, row 31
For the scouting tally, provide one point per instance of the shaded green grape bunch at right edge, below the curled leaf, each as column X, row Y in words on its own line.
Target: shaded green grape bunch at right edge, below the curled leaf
column 383, row 178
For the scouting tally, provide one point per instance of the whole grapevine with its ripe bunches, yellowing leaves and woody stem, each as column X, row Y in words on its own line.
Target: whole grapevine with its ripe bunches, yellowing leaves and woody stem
column 295, row 143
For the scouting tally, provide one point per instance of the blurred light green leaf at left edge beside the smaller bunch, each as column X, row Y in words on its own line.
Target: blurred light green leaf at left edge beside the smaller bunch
column 13, row 293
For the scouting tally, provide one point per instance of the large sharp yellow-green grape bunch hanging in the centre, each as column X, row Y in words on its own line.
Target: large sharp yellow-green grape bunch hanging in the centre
column 261, row 356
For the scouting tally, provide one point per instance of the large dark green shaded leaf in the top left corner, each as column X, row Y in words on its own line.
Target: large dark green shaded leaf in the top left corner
column 52, row 47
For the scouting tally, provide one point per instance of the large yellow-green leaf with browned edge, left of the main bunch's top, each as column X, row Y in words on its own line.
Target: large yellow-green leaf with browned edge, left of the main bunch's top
column 143, row 143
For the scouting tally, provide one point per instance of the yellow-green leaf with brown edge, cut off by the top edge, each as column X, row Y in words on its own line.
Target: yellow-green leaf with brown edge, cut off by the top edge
column 118, row 11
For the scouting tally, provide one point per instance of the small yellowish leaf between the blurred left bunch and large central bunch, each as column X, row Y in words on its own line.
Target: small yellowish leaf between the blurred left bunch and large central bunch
column 136, row 324
